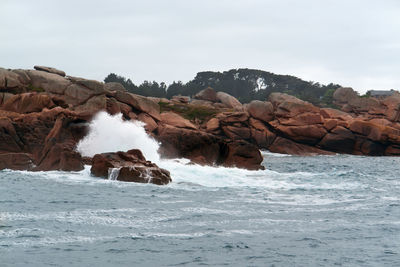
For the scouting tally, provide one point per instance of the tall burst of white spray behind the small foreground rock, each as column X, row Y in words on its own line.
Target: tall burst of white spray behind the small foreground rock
column 109, row 133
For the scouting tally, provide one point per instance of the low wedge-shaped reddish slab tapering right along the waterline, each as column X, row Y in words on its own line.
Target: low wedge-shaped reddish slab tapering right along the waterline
column 286, row 146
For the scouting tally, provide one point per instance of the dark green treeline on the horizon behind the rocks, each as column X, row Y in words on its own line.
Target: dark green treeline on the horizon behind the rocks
column 244, row 84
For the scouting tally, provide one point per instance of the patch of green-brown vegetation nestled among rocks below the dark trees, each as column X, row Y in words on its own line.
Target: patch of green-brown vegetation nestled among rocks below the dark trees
column 189, row 112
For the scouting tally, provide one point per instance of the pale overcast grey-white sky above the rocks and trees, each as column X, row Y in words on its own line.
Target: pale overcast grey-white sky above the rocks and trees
column 354, row 43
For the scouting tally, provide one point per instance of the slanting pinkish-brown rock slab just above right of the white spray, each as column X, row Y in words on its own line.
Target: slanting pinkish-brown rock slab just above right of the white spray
column 140, row 103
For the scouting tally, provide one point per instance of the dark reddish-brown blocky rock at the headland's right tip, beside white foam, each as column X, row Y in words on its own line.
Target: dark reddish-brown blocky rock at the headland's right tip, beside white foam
column 244, row 155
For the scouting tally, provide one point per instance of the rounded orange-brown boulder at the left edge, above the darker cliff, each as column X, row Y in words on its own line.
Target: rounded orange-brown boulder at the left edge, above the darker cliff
column 28, row 102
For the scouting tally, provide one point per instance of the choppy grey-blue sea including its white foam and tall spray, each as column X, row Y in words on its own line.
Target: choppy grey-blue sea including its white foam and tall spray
column 339, row 210
